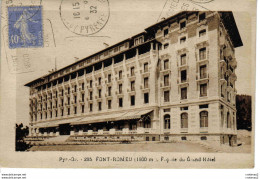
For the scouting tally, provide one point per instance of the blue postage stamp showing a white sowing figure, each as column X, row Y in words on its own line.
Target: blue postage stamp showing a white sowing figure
column 25, row 26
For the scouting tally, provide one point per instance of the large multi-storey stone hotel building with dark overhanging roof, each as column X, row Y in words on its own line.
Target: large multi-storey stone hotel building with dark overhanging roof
column 174, row 81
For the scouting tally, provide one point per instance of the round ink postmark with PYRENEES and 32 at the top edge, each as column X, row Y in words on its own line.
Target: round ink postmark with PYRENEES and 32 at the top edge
column 84, row 17
